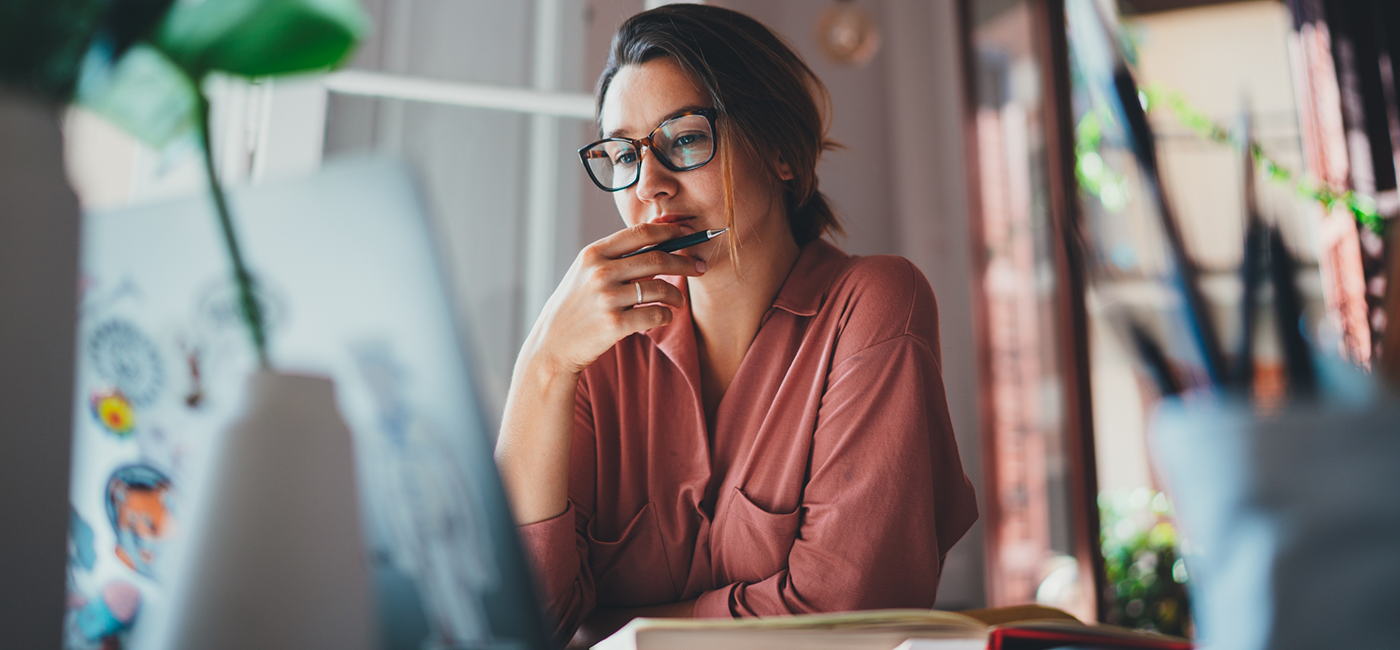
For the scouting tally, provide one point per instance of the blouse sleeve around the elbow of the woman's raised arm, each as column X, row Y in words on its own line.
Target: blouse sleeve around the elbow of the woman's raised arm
column 558, row 548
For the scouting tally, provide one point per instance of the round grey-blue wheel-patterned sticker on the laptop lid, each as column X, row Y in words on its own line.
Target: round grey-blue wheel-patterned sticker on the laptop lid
column 127, row 358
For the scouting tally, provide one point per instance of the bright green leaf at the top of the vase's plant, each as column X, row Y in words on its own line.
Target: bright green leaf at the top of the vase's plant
column 260, row 39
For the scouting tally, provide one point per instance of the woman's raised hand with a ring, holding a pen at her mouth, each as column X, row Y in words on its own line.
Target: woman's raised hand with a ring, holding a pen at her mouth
column 597, row 305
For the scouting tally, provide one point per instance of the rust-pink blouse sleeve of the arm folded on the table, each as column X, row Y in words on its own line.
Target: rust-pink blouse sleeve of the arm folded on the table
column 887, row 495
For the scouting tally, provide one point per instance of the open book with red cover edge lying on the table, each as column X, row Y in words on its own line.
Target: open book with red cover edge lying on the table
column 884, row 630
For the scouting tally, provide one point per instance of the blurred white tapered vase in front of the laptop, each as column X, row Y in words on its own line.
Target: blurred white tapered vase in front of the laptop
column 278, row 555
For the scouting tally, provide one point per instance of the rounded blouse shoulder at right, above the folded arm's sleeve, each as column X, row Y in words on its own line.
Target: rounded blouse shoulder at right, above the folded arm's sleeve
column 883, row 298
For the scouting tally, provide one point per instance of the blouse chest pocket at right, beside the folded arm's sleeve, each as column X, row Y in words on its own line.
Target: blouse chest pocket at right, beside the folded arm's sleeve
column 754, row 543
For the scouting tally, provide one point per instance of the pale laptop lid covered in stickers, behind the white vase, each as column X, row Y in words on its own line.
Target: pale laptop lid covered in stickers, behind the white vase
column 349, row 282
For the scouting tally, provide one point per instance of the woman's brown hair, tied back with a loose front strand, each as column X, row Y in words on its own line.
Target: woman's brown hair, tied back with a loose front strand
column 766, row 99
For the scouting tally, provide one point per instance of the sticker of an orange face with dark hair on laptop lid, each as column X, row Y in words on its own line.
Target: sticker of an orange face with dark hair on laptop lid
column 141, row 509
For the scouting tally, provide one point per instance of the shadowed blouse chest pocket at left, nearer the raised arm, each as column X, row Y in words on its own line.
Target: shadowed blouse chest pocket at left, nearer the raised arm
column 632, row 571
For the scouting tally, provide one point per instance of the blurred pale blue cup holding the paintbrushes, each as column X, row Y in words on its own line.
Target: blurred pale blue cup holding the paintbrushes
column 1293, row 518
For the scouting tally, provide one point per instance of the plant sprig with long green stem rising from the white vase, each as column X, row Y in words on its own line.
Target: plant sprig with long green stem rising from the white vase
column 152, row 85
